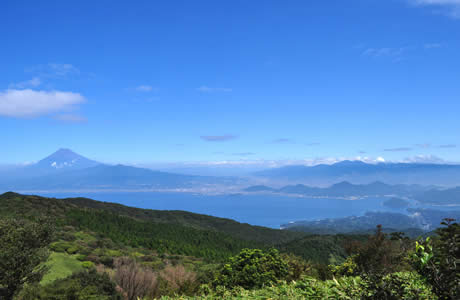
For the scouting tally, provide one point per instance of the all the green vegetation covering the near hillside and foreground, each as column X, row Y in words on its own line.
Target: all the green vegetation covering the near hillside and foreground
column 95, row 250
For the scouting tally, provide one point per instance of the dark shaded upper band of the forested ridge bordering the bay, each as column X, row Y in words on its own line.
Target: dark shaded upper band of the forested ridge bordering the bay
column 26, row 206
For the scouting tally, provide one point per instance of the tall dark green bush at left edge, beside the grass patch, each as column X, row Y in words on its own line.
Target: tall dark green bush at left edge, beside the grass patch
column 22, row 249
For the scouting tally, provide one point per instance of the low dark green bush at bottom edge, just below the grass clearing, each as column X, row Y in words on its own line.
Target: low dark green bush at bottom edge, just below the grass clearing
column 80, row 286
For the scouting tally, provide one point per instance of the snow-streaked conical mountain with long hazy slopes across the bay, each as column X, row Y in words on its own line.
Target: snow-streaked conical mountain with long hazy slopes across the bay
column 65, row 169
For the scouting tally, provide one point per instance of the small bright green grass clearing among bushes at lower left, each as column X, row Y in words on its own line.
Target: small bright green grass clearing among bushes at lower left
column 61, row 265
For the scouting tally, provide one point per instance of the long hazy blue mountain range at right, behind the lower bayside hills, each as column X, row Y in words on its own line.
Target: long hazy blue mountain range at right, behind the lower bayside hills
column 360, row 172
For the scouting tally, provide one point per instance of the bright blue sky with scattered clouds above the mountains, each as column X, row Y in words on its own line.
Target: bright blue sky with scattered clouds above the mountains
column 230, row 81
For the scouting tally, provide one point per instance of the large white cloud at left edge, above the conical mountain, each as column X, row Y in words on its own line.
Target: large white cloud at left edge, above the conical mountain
column 30, row 103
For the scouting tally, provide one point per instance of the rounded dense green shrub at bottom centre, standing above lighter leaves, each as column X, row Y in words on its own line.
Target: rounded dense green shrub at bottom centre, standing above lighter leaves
column 253, row 268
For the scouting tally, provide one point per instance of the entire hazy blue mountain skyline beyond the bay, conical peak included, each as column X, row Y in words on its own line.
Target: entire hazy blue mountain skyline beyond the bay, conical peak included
column 67, row 170
